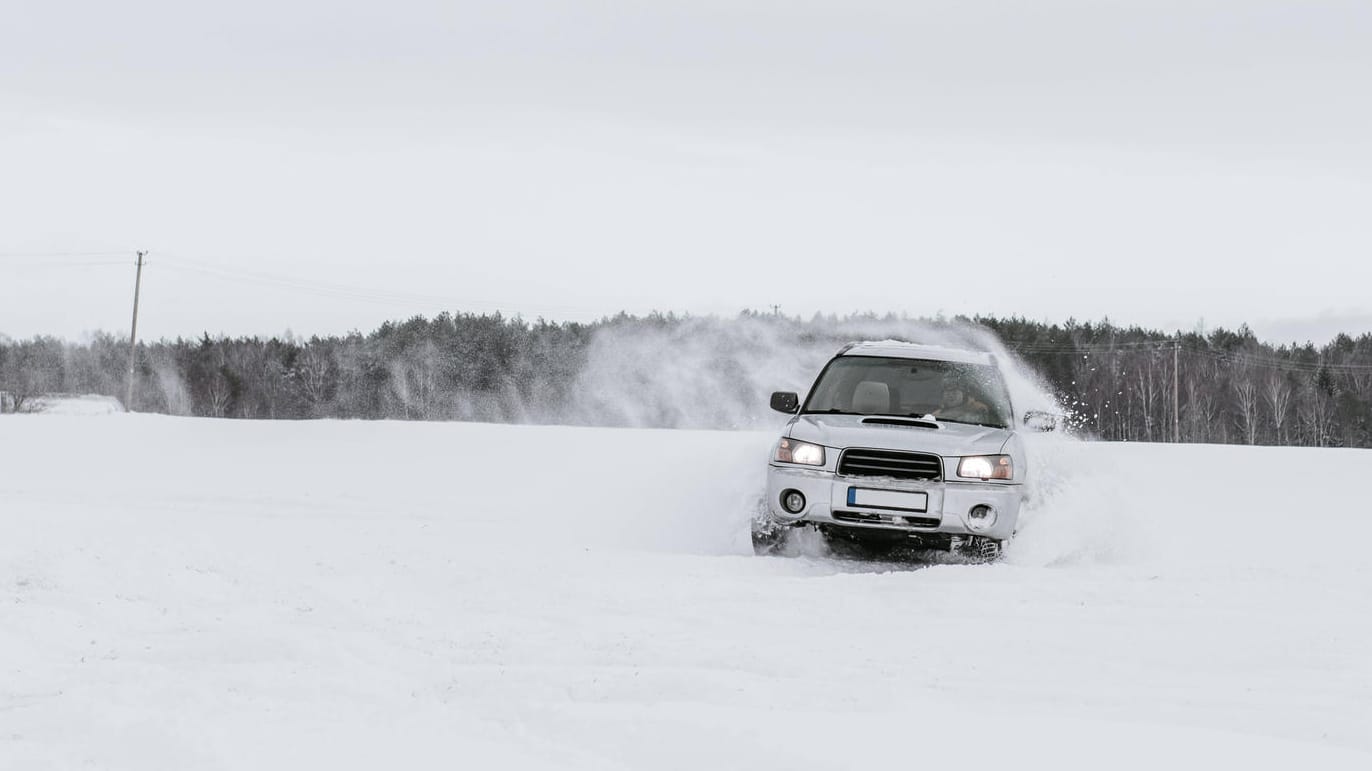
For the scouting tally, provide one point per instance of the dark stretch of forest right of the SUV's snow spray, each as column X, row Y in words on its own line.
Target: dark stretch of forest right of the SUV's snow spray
column 1220, row 386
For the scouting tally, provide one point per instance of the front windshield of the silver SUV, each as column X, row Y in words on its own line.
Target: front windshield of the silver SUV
column 951, row 392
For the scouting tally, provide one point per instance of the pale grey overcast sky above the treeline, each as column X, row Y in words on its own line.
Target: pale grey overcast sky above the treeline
column 327, row 165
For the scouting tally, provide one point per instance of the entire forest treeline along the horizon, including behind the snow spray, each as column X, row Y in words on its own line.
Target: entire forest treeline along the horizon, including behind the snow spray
column 669, row 371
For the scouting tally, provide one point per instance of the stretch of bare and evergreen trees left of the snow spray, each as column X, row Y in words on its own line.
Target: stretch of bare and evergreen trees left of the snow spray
column 449, row 368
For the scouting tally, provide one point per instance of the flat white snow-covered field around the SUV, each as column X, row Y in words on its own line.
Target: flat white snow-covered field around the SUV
column 190, row 595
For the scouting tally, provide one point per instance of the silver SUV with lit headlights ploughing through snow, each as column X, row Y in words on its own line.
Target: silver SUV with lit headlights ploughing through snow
column 899, row 447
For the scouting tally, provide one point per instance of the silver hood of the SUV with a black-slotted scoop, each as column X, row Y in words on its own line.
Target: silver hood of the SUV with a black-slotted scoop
column 843, row 431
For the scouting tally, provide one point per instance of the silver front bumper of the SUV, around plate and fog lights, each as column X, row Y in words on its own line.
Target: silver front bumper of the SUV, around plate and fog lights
column 949, row 503
